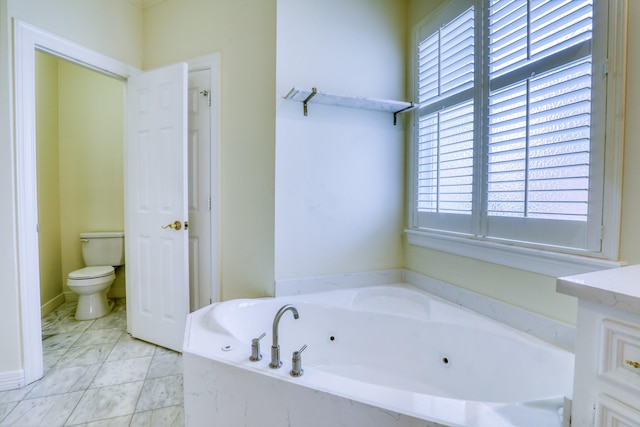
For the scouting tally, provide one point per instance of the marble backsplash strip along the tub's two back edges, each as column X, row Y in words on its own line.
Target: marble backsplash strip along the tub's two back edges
column 544, row 328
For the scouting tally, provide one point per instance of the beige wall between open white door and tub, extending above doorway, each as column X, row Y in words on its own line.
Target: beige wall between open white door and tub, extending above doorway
column 244, row 32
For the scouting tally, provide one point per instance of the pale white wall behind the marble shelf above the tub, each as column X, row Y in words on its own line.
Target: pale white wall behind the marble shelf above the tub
column 339, row 171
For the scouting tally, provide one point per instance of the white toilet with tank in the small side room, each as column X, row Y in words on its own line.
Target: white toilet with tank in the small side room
column 101, row 252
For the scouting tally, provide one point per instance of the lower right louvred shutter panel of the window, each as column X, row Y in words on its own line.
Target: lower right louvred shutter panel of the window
column 539, row 146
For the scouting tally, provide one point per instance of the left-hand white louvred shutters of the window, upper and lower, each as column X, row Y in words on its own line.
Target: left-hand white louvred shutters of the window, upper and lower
column 445, row 149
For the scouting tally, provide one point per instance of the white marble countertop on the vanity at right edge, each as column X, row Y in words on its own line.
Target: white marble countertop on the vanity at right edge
column 617, row 287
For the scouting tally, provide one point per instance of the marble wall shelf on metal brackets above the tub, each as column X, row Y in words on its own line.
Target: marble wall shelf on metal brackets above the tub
column 305, row 96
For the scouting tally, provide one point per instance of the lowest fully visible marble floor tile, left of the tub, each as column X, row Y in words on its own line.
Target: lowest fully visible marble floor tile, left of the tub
column 106, row 402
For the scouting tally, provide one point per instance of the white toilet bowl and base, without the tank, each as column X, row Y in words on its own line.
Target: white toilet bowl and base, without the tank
column 91, row 284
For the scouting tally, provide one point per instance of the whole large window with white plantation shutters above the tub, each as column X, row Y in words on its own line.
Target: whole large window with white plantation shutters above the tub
column 509, row 133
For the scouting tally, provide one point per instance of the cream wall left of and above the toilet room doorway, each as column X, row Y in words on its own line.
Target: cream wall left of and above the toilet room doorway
column 112, row 27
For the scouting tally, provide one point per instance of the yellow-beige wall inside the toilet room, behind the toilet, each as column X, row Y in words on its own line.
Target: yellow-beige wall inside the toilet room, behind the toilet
column 80, row 167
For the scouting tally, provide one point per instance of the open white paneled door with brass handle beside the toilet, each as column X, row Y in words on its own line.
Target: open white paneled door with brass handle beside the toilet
column 156, row 206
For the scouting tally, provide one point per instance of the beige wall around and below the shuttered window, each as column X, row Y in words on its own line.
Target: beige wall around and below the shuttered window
column 536, row 292
